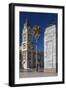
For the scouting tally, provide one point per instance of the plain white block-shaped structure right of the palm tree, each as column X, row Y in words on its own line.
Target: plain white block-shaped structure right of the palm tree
column 50, row 48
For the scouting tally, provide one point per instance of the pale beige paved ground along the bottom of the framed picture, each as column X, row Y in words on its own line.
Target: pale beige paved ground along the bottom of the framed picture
column 36, row 74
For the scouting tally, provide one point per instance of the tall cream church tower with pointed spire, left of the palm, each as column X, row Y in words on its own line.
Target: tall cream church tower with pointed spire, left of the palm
column 26, row 46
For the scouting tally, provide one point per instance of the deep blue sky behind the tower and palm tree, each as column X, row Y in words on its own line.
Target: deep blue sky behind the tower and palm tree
column 41, row 19
